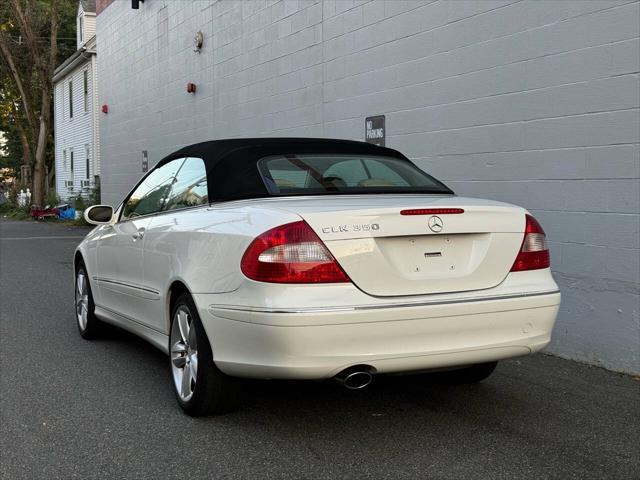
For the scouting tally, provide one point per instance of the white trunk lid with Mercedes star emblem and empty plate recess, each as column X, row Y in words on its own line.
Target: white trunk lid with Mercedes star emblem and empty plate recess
column 389, row 254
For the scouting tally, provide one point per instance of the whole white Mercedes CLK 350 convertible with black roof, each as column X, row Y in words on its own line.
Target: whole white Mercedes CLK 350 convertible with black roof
column 312, row 259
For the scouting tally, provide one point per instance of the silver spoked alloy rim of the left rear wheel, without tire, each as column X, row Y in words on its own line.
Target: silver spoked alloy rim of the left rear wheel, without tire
column 184, row 353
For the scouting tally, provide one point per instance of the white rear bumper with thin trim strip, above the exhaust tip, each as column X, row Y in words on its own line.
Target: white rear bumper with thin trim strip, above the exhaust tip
column 319, row 343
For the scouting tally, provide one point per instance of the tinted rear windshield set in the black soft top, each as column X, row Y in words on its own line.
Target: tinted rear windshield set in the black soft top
column 317, row 174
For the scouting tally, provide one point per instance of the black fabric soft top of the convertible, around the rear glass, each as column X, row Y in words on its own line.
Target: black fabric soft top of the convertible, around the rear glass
column 232, row 172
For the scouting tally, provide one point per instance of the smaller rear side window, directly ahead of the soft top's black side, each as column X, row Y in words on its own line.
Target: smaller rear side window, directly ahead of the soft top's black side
column 190, row 186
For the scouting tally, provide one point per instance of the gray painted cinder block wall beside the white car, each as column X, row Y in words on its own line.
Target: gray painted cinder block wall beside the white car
column 530, row 102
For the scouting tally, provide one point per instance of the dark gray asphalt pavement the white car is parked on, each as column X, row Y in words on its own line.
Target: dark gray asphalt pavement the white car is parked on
column 105, row 409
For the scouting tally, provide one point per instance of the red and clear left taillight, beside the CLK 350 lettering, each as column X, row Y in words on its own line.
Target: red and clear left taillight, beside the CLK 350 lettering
column 291, row 253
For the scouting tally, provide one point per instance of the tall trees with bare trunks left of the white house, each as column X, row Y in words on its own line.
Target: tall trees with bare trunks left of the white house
column 35, row 36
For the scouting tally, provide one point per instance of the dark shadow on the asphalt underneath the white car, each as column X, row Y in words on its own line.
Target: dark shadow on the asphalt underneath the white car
column 291, row 402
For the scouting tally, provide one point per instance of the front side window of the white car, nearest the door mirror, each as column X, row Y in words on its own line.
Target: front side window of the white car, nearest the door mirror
column 151, row 195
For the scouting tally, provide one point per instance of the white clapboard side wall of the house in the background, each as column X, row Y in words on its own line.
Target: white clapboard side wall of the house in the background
column 74, row 133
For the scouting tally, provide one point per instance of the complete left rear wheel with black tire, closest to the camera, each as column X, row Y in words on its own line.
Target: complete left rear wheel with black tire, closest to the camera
column 209, row 391
